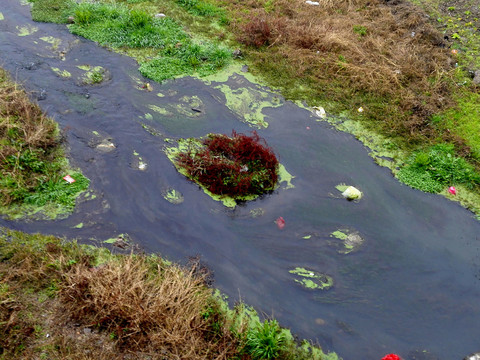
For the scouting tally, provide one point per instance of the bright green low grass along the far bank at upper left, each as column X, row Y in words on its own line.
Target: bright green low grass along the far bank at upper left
column 161, row 45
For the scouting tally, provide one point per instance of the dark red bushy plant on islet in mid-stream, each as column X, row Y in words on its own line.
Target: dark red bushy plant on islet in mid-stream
column 238, row 165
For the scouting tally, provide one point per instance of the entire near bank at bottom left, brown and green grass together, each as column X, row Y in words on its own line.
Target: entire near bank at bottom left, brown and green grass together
column 59, row 300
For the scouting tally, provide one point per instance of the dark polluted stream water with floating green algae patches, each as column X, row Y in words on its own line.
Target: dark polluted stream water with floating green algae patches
column 395, row 271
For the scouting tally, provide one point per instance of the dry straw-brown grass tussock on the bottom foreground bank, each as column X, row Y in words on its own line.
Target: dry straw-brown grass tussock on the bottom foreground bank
column 146, row 306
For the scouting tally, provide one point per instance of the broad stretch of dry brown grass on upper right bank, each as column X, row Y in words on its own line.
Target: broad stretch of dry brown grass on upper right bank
column 348, row 49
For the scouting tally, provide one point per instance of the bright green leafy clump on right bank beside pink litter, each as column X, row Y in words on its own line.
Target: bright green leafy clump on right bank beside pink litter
column 436, row 168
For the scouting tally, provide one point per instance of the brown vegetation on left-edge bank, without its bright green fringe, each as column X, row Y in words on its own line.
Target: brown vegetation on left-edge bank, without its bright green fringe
column 28, row 143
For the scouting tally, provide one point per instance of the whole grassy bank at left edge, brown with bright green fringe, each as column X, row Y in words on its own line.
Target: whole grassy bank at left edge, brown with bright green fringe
column 32, row 162
